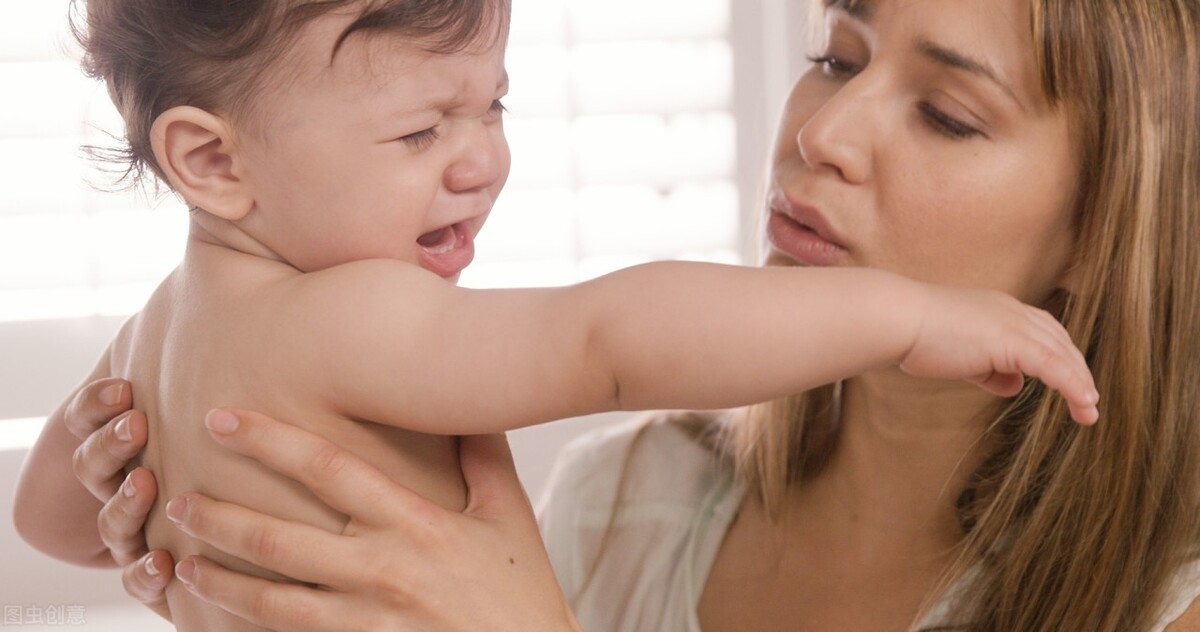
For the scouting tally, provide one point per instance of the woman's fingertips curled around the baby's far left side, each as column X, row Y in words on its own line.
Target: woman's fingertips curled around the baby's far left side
column 113, row 436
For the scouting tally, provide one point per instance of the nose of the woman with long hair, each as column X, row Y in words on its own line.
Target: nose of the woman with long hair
column 842, row 134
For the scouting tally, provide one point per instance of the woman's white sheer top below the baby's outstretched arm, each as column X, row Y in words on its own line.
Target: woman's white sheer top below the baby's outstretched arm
column 676, row 509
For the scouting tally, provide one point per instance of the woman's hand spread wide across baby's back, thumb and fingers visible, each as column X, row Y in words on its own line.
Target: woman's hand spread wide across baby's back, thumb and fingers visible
column 403, row 563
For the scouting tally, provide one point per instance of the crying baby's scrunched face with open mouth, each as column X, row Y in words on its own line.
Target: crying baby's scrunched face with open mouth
column 386, row 153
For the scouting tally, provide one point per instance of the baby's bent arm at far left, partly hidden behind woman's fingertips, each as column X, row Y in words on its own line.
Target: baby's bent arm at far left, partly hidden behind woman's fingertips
column 52, row 510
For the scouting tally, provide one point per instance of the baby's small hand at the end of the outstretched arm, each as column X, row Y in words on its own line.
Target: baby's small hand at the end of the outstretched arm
column 993, row 340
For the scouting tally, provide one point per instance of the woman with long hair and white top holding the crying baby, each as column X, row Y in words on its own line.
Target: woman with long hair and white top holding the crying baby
column 1048, row 149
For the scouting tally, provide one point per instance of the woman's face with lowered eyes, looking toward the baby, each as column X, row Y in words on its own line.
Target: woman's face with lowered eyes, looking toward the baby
column 920, row 142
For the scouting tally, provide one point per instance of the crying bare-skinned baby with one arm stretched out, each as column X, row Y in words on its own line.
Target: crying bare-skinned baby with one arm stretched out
column 339, row 159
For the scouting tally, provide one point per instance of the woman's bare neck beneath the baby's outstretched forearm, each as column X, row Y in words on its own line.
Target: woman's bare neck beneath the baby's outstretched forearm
column 905, row 452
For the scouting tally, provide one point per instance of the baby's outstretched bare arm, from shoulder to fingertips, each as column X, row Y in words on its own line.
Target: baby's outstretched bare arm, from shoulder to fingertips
column 392, row 344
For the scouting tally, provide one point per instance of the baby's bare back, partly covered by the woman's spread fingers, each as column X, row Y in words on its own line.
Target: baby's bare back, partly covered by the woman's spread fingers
column 199, row 345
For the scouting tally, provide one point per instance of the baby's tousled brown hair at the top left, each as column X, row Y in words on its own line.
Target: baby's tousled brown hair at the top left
column 212, row 55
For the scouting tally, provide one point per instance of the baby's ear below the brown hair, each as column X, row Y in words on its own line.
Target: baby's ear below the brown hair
column 195, row 151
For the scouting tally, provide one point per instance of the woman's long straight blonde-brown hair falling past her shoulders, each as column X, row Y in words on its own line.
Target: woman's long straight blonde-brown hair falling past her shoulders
column 1072, row 528
